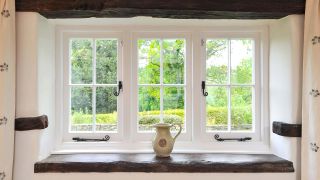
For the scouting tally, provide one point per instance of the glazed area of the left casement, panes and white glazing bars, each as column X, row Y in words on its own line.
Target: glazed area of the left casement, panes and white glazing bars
column 93, row 78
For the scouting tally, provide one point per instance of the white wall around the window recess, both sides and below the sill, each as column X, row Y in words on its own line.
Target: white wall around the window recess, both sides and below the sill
column 35, row 96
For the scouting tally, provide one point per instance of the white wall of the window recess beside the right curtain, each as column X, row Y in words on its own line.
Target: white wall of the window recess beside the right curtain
column 286, row 50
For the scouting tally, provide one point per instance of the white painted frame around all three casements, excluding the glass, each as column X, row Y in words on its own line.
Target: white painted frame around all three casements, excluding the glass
column 195, row 139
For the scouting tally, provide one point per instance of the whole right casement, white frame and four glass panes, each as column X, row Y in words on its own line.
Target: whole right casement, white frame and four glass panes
column 231, row 102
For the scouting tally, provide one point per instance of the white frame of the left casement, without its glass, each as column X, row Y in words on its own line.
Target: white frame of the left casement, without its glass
column 67, row 36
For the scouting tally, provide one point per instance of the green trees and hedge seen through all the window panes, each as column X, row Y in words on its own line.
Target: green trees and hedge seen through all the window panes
column 173, row 53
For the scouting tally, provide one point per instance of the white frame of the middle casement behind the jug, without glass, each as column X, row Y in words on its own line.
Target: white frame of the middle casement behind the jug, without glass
column 144, row 136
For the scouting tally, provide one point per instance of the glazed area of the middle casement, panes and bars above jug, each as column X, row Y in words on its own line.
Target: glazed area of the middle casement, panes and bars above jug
column 161, row 77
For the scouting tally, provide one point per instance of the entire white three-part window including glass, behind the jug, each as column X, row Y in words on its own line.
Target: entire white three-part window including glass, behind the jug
column 211, row 82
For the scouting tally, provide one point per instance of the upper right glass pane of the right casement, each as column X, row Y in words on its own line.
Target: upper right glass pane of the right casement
column 241, row 61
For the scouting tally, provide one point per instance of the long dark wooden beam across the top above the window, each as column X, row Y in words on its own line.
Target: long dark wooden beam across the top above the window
column 187, row 9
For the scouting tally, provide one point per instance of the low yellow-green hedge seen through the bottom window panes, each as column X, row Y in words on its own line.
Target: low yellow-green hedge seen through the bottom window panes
column 216, row 116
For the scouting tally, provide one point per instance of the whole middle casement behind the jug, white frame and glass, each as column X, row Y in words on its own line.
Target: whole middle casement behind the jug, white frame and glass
column 161, row 82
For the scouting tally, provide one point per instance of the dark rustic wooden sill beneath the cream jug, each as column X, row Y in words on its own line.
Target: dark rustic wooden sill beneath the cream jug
column 178, row 163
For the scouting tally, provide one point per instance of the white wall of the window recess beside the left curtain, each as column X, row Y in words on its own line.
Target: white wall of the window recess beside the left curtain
column 35, row 90
